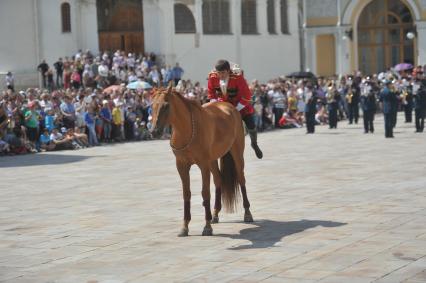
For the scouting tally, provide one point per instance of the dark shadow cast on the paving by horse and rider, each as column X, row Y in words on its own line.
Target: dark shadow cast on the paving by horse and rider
column 267, row 233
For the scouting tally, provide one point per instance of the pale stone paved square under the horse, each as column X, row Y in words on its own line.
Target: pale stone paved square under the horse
column 336, row 206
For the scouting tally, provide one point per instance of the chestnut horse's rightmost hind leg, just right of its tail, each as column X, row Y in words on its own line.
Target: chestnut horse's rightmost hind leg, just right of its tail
column 237, row 153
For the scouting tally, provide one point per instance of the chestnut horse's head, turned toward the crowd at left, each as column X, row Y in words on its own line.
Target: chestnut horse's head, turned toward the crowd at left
column 160, row 110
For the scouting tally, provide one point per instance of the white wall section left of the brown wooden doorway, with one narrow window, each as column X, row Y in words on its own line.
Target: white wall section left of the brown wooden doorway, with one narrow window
column 32, row 30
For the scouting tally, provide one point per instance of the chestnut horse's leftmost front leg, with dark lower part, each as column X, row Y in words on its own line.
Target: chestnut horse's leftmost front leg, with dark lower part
column 183, row 169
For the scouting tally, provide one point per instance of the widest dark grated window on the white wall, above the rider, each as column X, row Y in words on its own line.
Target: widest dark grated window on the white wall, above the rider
column 216, row 19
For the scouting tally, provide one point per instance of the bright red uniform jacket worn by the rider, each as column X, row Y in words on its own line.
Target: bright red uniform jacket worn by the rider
column 237, row 91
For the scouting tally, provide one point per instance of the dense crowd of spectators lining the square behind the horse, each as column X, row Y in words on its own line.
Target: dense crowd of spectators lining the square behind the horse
column 85, row 101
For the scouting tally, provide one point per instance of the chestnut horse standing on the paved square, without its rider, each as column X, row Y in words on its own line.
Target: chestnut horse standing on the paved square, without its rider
column 202, row 135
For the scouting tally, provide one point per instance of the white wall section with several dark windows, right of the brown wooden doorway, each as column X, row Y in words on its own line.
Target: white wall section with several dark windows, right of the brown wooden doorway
column 262, row 50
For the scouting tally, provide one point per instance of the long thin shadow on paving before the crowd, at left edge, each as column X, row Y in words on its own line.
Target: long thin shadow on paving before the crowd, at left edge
column 39, row 159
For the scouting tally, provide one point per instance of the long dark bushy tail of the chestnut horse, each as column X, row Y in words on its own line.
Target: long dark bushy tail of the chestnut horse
column 230, row 186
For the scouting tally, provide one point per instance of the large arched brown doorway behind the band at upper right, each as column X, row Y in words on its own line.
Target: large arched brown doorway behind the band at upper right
column 382, row 41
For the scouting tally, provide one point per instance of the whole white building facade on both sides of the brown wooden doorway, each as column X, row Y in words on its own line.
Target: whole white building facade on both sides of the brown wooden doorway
column 34, row 29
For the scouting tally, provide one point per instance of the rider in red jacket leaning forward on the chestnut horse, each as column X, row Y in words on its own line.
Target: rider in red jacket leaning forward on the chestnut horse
column 227, row 85
